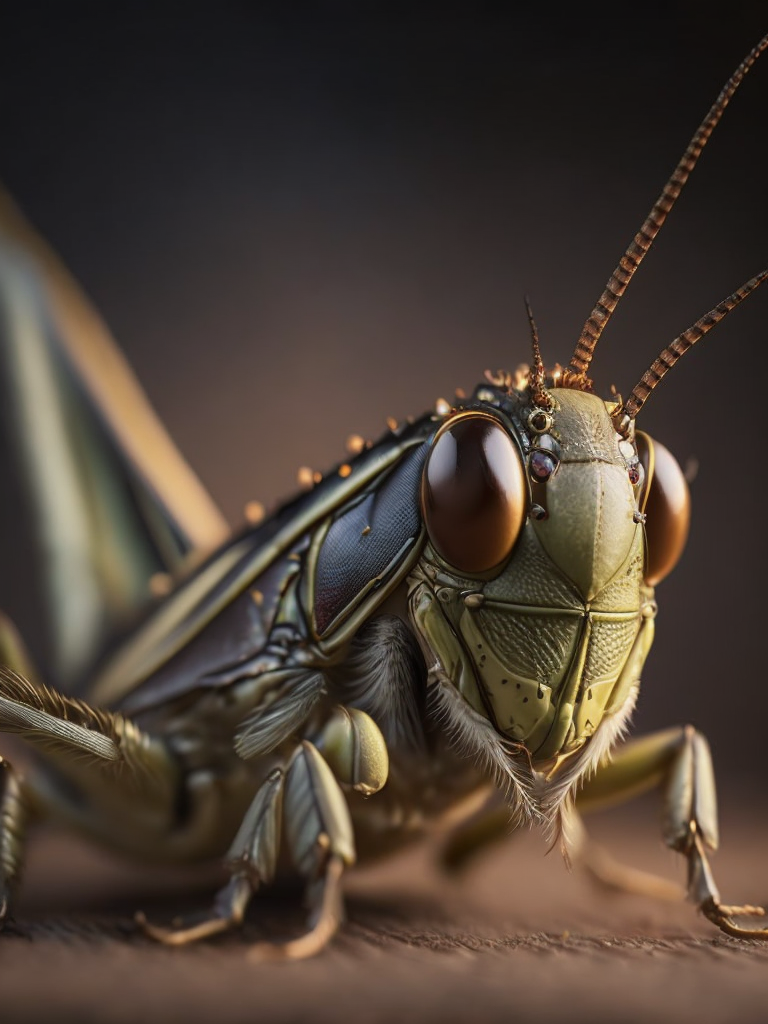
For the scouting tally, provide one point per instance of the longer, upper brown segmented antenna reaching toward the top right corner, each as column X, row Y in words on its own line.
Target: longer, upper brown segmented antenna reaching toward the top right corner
column 643, row 242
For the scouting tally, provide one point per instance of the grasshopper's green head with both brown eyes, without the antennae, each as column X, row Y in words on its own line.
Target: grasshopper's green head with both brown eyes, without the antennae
column 547, row 532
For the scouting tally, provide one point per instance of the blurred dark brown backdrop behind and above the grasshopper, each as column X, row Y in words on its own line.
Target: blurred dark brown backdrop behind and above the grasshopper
column 300, row 220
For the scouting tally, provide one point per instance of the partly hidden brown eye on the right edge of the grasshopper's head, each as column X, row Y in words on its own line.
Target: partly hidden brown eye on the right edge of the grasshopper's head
column 666, row 501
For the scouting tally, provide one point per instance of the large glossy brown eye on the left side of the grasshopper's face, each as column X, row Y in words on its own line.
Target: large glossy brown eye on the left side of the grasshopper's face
column 475, row 495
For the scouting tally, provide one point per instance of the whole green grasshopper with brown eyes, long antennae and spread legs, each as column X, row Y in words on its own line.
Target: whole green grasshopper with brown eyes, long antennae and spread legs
column 455, row 619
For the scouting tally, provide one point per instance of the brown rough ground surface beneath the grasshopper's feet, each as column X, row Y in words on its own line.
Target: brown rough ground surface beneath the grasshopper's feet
column 517, row 937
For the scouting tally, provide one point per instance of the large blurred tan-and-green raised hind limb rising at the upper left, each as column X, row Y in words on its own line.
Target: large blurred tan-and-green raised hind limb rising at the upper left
column 113, row 502
